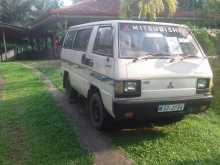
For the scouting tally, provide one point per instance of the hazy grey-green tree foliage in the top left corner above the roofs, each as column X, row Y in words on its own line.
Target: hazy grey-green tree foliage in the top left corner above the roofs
column 22, row 12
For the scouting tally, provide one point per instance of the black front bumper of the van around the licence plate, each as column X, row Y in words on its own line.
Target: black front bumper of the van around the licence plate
column 147, row 109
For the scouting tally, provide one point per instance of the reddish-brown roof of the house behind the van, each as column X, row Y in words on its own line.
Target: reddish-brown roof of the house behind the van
column 95, row 10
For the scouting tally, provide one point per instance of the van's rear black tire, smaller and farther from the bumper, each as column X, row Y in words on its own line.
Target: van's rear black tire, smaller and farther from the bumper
column 70, row 92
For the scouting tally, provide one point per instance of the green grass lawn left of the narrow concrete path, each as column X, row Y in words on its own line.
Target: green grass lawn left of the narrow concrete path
column 33, row 131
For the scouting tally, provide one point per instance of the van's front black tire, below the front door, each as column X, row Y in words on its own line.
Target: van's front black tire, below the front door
column 99, row 117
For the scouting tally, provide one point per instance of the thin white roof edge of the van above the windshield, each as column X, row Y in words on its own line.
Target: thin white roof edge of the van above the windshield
column 125, row 21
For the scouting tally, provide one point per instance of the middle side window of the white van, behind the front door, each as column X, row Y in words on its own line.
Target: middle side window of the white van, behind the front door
column 82, row 39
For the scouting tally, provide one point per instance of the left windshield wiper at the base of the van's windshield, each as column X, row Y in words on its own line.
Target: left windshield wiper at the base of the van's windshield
column 153, row 56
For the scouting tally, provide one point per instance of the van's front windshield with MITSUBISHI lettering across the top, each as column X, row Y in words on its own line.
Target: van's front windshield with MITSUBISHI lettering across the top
column 136, row 40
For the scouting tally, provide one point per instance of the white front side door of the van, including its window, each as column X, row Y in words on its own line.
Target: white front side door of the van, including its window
column 103, row 64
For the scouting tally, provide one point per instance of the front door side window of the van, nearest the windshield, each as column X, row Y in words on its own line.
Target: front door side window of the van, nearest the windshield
column 104, row 41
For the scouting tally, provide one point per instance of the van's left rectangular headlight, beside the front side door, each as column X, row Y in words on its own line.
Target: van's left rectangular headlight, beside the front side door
column 127, row 89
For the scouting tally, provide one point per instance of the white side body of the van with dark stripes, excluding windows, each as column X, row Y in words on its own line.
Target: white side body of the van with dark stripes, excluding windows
column 83, row 76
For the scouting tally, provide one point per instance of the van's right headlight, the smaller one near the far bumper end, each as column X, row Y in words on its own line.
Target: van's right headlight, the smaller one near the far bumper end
column 203, row 85
